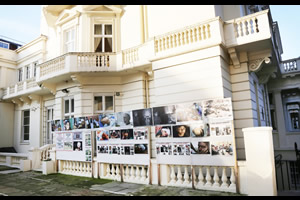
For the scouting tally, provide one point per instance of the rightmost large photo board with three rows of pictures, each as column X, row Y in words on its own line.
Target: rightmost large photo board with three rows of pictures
column 202, row 135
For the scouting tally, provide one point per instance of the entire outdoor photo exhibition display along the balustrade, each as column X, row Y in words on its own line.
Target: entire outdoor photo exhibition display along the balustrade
column 199, row 133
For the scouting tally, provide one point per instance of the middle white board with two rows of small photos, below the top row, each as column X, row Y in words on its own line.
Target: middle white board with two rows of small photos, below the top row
column 123, row 145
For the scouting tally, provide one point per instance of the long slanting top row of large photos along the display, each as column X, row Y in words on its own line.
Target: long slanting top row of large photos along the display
column 208, row 110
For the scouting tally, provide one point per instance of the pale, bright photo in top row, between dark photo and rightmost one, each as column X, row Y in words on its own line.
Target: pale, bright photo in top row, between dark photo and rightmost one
column 188, row 112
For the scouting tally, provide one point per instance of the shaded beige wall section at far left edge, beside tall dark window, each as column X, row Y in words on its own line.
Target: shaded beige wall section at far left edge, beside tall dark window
column 6, row 124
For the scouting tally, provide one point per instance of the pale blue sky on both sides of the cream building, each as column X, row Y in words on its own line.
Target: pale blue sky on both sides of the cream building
column 22, row 23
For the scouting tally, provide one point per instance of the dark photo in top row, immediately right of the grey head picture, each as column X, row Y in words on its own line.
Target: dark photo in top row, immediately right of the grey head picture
column 142, row 117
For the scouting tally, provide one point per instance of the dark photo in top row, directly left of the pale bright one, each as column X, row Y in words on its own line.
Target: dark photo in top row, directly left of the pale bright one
column 164, row 115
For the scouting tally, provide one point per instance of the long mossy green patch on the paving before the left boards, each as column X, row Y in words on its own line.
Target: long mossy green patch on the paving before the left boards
column 76, row 181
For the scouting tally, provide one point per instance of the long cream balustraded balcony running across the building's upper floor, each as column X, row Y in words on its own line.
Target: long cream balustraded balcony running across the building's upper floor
column 245, row 31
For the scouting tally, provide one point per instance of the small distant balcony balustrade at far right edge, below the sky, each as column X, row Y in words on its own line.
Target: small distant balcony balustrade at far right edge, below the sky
column 290, row 67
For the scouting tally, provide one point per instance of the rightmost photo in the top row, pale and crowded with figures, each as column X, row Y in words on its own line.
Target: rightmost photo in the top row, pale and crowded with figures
column 218, row 108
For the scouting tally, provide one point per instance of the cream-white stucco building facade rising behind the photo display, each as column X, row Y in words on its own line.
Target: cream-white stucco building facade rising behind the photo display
column 93, row 59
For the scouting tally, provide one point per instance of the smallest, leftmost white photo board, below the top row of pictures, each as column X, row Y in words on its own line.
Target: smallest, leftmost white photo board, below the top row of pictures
column 74, row 145
